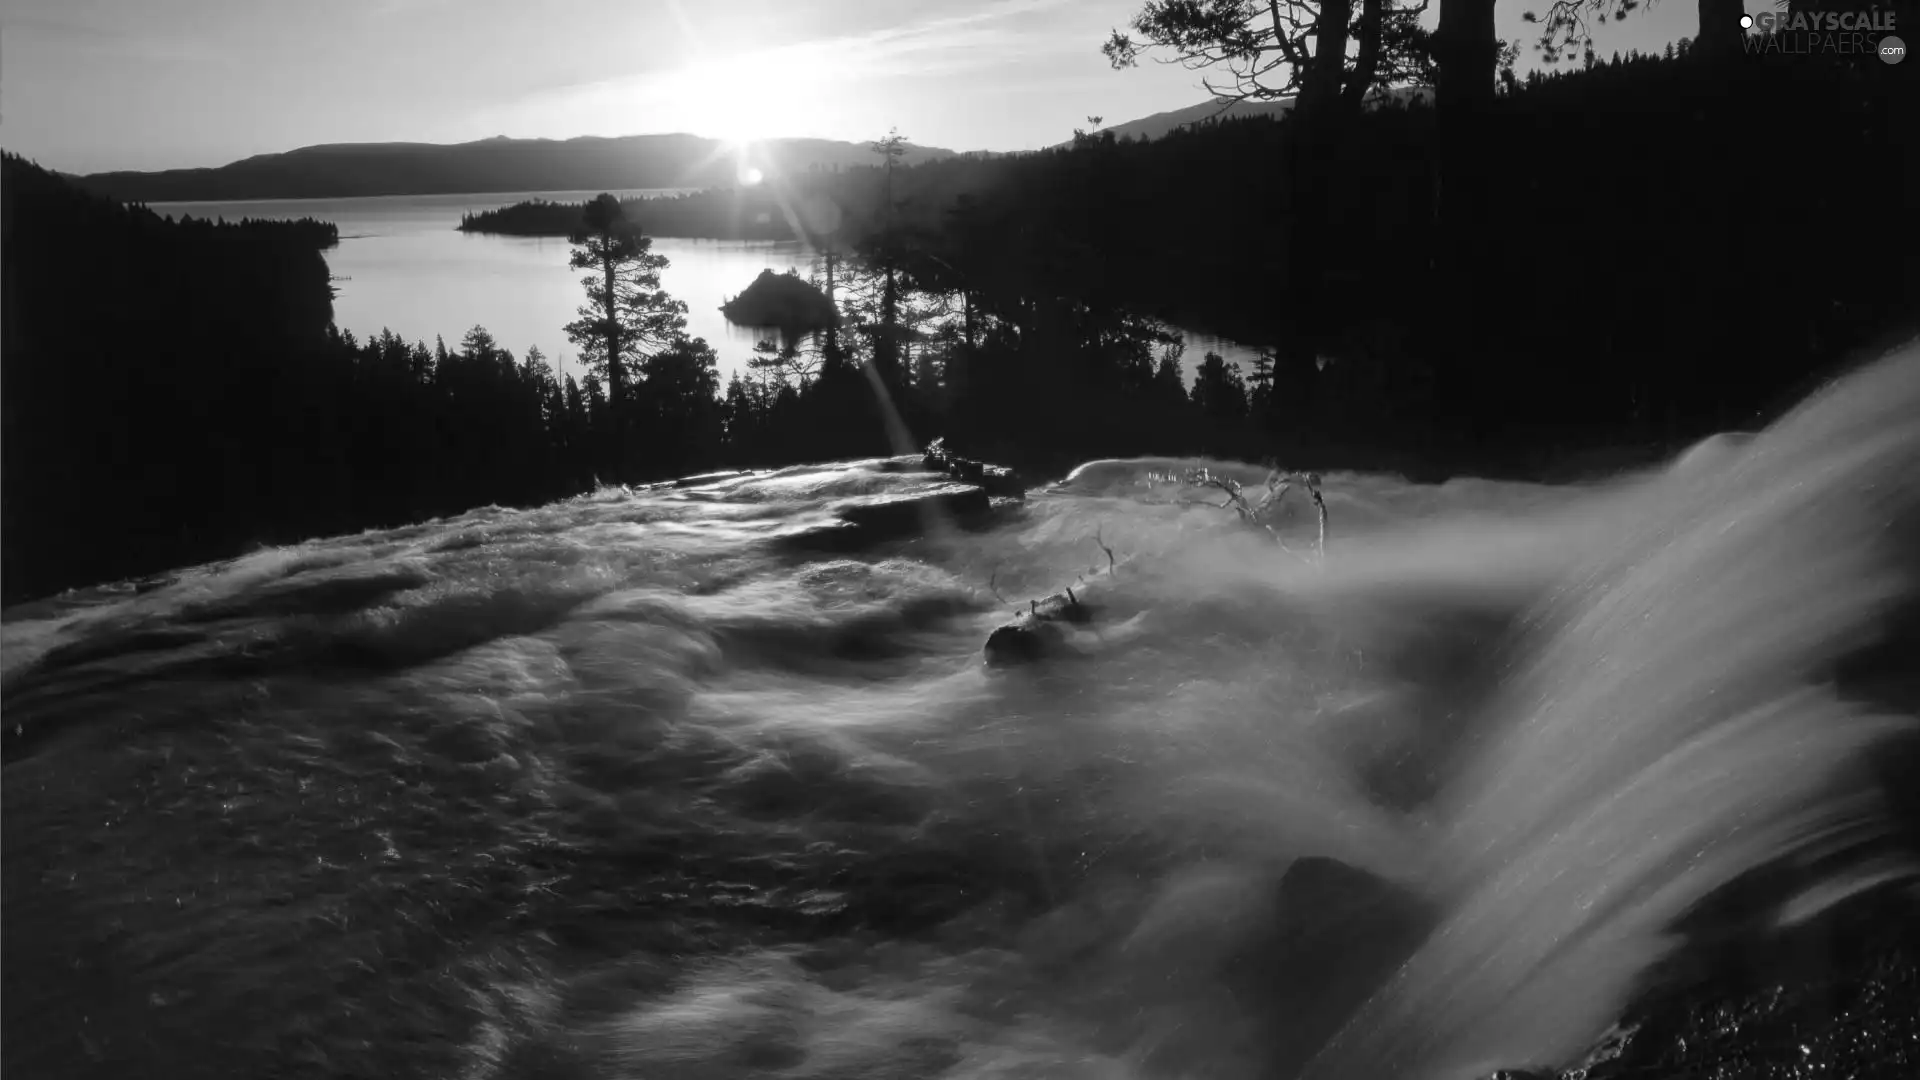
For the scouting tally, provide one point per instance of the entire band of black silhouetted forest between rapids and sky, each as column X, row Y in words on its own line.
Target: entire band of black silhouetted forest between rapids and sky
column 1623, row 257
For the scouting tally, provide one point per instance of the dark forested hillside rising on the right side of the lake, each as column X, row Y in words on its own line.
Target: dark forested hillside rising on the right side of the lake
column 1608, row 289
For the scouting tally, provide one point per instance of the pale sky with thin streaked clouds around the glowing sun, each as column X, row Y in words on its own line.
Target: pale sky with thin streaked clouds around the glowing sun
column 95, row 86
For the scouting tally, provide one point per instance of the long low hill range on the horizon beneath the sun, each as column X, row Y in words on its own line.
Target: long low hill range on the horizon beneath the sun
column 498, row 164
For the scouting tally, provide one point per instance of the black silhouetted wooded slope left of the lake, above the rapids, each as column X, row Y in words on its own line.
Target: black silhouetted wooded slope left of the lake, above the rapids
column 178, row 391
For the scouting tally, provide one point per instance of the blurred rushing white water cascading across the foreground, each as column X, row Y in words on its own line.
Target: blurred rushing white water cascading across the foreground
column 642, row 785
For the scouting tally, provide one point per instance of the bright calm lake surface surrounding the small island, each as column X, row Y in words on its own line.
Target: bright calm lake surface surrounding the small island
column 402, row 264
